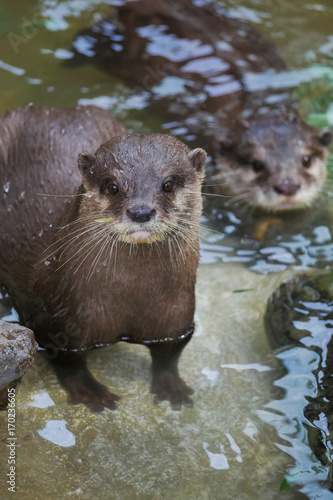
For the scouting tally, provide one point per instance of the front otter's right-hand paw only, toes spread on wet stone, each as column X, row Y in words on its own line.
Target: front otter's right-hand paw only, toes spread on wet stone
column 170, row 387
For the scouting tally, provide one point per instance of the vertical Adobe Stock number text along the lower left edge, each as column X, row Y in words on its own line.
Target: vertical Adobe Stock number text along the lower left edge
column 11, row 441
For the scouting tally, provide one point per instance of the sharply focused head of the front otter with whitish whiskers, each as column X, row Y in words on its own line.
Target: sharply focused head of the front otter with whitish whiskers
column 143, row 188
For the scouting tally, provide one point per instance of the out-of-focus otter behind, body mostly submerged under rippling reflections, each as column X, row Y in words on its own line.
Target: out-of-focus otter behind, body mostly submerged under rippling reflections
column 195, row 65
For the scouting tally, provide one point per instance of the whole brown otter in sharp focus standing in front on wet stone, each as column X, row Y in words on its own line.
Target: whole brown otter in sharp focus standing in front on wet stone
column 118, row 261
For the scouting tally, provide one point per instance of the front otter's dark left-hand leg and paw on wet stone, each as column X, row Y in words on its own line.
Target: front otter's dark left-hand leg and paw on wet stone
column 76, row 379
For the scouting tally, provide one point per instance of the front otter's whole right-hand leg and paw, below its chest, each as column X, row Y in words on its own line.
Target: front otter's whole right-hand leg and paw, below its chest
column 167, row 384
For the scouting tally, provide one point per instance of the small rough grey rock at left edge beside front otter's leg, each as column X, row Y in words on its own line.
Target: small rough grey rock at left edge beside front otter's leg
column 17, row 347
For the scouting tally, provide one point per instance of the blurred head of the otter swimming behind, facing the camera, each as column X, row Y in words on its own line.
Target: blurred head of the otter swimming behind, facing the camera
column 275, row 164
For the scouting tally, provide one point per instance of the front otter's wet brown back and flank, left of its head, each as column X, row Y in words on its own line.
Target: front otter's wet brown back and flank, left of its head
column 38, row 166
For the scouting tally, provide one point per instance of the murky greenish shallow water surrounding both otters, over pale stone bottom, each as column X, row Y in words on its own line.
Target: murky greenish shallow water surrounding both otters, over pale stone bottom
column 245, row 438
